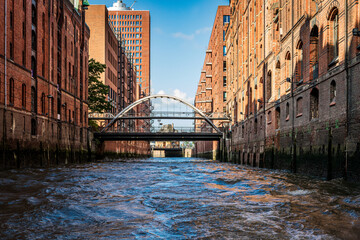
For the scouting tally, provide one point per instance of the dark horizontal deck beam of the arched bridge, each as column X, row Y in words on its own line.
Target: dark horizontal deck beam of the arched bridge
column 158, row 136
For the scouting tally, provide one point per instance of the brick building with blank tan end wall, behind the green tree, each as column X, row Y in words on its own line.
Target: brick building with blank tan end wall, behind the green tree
column 107, row 47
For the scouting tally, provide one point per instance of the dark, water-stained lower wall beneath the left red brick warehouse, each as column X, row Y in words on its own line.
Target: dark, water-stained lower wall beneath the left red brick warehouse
column 53, row 144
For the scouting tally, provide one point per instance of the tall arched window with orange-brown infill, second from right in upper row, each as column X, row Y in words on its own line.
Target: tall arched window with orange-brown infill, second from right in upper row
column 314, row 52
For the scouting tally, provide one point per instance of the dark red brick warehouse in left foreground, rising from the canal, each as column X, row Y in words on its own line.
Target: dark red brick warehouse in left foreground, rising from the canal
column 43, row 86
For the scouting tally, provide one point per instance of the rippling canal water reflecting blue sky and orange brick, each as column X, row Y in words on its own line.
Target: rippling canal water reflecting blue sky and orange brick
column 174, row 198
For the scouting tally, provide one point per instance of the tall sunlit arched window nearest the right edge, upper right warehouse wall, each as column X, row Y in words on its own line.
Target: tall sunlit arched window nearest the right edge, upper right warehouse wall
column 333, row 36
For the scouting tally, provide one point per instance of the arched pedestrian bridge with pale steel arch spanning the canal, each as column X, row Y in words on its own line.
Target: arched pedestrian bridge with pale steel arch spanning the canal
column 159, row 118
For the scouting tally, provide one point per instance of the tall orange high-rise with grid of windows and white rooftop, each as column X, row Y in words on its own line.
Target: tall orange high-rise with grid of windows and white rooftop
column 134, row 28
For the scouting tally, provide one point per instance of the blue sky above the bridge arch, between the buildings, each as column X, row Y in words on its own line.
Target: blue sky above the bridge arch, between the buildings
column 180, row 32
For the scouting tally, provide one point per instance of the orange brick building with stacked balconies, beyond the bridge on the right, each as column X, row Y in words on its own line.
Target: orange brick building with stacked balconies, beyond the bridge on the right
column 211, row 92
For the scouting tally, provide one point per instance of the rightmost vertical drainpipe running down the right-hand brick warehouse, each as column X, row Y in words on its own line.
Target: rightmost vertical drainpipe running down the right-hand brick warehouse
column 348, row 89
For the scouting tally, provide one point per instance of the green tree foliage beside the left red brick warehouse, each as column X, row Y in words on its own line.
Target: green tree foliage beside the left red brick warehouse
column 98, row 91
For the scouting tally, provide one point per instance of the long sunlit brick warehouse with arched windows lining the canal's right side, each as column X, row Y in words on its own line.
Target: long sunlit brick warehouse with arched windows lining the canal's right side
column 293, row 86
